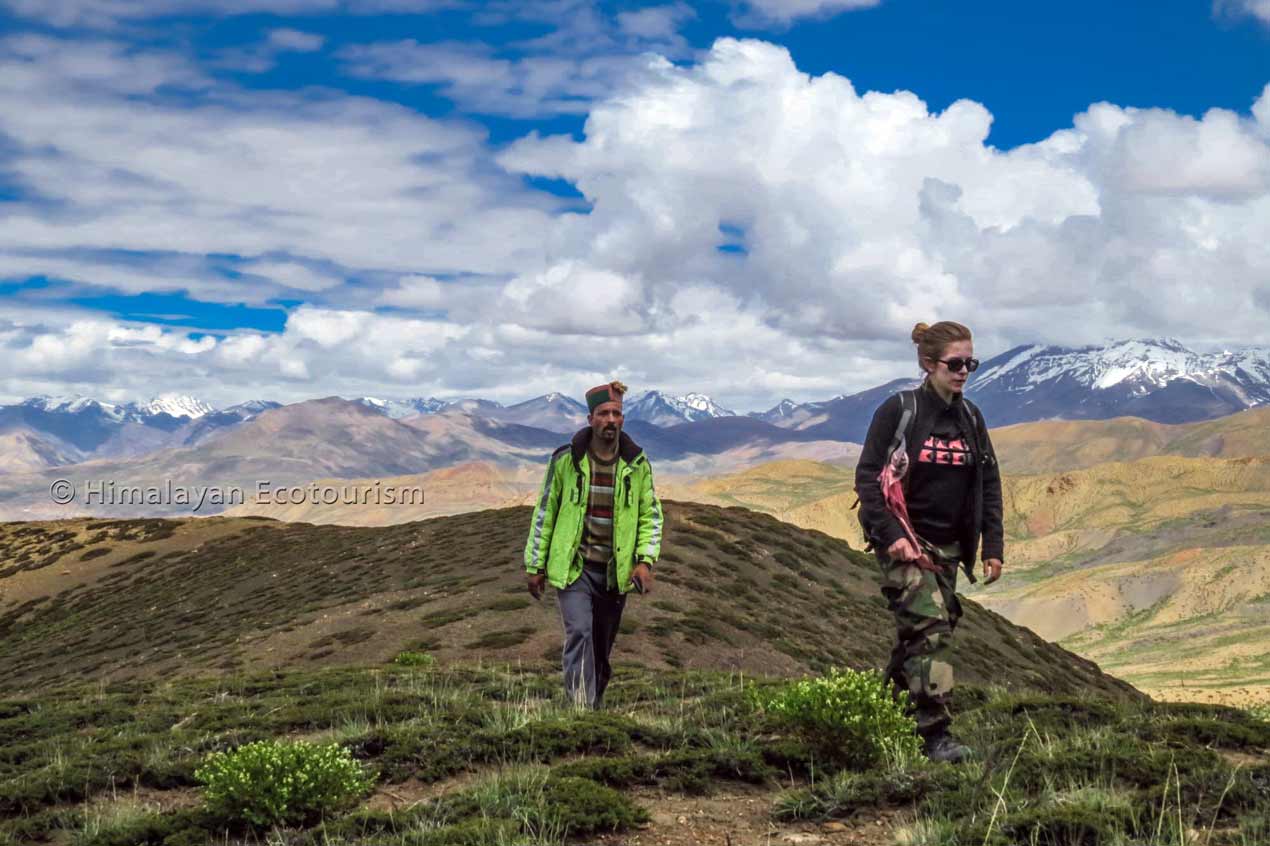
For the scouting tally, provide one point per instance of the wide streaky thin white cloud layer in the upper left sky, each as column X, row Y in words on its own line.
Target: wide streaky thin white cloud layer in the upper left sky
column 110, row 163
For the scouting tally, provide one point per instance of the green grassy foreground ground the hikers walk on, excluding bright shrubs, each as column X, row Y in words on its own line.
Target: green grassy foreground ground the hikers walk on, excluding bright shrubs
column 491, row 756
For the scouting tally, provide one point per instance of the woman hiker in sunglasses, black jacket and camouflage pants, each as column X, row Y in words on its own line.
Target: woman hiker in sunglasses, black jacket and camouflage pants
column 935, row 449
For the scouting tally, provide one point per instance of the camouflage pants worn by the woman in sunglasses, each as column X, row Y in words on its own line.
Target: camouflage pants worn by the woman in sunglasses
column 926, row 612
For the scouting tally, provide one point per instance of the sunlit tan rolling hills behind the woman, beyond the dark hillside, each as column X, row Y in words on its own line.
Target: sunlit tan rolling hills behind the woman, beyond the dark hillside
column 1179, row 532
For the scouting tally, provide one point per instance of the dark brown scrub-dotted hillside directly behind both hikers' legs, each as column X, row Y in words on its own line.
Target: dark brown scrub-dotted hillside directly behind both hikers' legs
column 110, row 600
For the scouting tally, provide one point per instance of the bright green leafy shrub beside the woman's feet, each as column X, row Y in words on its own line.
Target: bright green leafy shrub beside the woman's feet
column 850, row 717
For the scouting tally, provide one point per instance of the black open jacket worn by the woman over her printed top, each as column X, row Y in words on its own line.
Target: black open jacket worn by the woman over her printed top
column 981, row 523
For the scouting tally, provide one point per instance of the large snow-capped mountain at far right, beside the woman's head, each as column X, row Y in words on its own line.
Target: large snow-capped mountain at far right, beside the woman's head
column 1158, row 379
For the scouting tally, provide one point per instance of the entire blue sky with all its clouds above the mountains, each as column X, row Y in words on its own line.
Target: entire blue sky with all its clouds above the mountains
column 294, row 199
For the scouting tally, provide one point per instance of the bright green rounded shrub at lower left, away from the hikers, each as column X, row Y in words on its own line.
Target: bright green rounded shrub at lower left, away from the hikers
column 274, row 782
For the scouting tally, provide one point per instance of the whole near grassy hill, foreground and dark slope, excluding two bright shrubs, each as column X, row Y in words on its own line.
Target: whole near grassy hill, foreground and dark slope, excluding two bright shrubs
column 131, row 650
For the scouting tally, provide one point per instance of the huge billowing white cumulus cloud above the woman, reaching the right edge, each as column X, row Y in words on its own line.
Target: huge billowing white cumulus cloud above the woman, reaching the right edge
column 862, row 214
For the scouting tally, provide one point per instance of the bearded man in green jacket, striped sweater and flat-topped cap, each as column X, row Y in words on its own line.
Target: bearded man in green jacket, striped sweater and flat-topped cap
column 595, row 537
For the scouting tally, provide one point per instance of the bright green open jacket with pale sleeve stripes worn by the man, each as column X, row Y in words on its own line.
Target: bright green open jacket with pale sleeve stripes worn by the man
column 556, row 532
